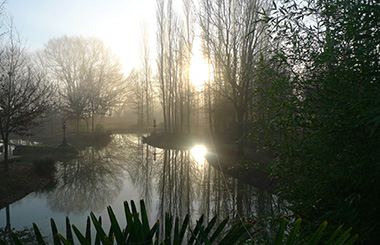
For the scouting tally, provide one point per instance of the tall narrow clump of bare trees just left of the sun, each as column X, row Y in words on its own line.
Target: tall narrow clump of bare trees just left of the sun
column 175, row 36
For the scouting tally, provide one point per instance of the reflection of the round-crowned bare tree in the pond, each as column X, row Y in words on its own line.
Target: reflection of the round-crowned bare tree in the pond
column 89, row 182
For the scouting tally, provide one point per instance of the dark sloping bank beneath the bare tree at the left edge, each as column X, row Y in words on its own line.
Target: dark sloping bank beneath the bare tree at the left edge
column 19, row 182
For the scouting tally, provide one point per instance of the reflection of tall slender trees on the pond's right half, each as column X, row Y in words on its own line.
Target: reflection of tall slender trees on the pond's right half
column 187, row 187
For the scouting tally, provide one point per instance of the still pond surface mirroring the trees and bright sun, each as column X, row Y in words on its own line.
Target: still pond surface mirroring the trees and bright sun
column 174, row 181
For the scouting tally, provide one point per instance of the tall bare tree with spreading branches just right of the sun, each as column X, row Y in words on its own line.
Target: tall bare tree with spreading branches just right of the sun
column 234, row 41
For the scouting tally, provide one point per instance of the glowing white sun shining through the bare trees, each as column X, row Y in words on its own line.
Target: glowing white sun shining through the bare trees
column 199, row 71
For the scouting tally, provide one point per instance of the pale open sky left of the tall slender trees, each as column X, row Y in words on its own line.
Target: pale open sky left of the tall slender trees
column 117, row 22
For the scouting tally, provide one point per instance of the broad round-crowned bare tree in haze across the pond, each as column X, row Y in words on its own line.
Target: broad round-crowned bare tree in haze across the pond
column 88, row 74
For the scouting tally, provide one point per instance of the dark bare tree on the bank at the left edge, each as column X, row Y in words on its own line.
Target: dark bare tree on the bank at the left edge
column 24, row 92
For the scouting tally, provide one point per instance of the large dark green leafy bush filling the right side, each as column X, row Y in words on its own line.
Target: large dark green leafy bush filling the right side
column 320, row 105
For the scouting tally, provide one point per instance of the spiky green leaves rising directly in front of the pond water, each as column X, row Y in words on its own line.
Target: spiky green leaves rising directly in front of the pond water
column 138, row 230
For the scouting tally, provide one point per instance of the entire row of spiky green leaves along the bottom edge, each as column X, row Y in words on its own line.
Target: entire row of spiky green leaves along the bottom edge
column 138, row 231
